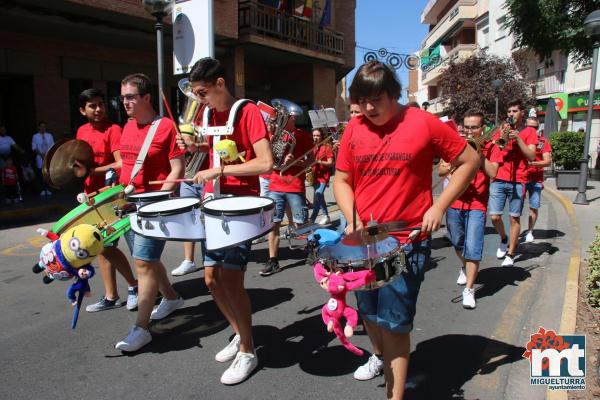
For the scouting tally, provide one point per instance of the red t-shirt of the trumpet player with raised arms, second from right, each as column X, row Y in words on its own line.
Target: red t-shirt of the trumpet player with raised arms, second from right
column 514, row 164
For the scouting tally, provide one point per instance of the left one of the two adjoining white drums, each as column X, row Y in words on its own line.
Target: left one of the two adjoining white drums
column 173, row 219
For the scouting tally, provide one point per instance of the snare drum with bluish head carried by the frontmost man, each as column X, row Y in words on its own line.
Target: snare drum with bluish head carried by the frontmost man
column 386, row 258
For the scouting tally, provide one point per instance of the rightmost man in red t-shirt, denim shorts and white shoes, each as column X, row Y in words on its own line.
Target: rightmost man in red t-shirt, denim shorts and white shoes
column 535, row 176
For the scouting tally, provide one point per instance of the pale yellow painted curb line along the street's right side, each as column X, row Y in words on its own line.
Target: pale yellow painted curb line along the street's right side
column 569, row 312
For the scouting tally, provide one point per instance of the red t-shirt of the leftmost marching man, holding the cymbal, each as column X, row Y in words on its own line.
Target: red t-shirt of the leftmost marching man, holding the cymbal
column 104, row 141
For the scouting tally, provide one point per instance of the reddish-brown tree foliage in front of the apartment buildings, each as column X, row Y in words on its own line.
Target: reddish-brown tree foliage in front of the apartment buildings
column 467, row 84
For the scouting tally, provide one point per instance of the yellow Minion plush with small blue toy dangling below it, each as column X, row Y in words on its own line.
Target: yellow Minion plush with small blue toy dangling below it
column 69, row 256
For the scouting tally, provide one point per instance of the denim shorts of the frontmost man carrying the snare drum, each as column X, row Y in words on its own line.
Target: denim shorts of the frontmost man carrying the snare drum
column 393, row 306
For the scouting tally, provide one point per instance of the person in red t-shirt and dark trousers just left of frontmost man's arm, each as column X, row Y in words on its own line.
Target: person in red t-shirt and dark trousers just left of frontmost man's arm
column 323, row 155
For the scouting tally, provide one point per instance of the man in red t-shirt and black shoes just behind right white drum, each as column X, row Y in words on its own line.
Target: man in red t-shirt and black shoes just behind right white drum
column 286, row 189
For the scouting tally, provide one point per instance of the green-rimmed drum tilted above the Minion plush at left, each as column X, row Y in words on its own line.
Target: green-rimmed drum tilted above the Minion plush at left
column 106, row 204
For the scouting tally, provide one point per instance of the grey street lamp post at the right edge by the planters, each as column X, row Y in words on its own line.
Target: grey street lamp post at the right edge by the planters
column 591, row 26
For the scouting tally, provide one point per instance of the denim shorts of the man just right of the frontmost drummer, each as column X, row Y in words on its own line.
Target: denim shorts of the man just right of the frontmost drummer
column 467, row 228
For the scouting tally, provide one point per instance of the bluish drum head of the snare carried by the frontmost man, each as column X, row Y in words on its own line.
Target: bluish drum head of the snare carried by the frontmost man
column 352, row 254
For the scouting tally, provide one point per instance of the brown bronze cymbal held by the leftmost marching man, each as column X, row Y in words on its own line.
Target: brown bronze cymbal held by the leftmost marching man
column 60, row 159
